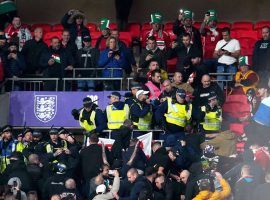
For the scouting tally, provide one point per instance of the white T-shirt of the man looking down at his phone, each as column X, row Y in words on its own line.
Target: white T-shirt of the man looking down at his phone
column 232, row 46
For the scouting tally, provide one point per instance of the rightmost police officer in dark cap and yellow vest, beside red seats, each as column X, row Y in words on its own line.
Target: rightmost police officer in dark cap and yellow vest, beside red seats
column 211, row 115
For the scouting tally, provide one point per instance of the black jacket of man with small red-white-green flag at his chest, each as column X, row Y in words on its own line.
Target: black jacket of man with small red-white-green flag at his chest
column 57, row 70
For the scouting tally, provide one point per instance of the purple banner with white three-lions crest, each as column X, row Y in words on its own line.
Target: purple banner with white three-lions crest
column 44, row 109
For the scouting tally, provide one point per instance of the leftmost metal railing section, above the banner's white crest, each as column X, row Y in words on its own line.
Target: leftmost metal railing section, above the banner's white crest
column 34, row 83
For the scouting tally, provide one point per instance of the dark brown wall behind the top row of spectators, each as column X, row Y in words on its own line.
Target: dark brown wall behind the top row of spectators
column 51, row 11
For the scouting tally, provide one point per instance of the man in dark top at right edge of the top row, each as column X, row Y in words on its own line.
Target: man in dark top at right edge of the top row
column 261, row 53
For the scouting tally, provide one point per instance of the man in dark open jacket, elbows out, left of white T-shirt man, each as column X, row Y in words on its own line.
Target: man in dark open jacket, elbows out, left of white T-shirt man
column 183, row 49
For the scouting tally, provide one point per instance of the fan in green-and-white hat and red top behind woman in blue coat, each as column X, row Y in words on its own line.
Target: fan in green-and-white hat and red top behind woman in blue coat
column 101, row 43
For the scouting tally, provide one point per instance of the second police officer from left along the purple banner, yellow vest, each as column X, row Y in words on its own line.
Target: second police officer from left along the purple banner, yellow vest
column 116, row 112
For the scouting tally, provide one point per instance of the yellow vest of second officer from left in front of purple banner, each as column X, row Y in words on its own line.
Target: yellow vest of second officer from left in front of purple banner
column 116, row 118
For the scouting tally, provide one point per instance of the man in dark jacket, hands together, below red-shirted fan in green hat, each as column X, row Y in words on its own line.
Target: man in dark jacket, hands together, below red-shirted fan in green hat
column 152, row 52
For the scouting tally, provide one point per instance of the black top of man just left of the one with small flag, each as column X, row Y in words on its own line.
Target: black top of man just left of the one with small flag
column 32, row 51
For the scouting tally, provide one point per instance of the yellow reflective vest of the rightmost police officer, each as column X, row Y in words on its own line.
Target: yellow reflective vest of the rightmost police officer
column 211, row 121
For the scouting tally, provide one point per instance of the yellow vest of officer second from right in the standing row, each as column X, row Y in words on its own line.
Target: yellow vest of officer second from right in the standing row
column 177, row 113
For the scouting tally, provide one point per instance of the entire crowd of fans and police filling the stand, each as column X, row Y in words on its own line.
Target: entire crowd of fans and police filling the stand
column 196, row 157
